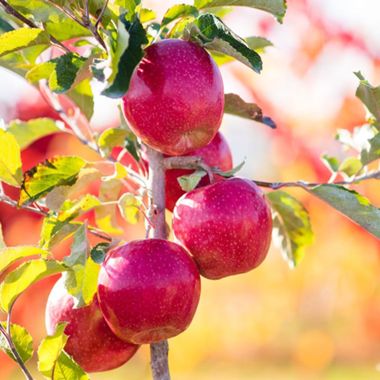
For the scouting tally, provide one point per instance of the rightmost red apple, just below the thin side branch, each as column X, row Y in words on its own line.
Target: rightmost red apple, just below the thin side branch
column 226, row 226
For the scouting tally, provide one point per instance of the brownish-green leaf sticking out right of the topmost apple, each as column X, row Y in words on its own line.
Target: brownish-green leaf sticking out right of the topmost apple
column 235, row 105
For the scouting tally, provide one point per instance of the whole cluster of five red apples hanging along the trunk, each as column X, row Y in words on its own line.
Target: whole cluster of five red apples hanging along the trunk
column 148, row 290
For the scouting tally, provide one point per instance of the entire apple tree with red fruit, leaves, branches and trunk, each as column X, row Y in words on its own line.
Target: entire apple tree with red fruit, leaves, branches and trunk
column 167, row 153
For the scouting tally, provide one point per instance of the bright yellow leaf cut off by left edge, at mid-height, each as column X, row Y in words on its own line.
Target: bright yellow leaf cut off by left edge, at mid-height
column 10, row 160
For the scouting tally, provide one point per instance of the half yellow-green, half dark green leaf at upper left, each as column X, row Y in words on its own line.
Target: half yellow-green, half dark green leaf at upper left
column 61, row 72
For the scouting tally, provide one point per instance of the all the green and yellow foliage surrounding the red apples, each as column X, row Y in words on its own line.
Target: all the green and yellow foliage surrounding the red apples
column 114, row 35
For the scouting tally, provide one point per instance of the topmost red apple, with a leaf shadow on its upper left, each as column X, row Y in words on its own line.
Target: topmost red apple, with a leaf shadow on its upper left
column 175, row 100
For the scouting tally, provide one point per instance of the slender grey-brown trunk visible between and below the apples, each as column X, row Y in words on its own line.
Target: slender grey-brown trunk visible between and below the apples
column 158, row 351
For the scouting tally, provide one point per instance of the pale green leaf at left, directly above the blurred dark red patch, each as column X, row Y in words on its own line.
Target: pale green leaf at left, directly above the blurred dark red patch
column 27, row 132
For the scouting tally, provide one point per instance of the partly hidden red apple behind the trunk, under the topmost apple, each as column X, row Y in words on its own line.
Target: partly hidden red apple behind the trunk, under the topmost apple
column 216, row 154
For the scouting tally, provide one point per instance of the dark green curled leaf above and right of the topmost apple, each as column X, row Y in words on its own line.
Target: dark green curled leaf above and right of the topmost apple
column 214, row 35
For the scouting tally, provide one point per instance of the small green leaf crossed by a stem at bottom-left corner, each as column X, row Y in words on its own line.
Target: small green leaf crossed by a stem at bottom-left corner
column 22, row 340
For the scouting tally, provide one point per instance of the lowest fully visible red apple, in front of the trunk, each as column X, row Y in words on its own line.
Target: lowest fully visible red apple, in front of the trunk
column 148, row 290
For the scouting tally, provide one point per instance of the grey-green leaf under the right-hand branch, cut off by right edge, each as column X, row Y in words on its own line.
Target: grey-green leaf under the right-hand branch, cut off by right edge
column 351, row 204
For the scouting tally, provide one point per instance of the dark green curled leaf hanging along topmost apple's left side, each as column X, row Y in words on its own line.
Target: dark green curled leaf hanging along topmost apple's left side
column 131, row 38
